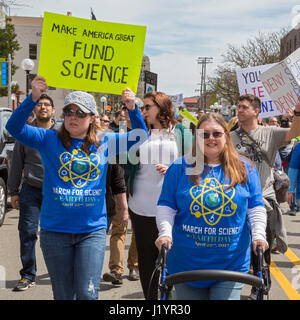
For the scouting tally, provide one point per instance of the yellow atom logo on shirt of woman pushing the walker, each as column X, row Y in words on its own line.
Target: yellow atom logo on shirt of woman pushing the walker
column 212, row 202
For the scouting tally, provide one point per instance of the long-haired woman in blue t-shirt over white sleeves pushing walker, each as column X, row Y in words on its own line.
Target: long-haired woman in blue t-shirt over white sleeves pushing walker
column 209, row 205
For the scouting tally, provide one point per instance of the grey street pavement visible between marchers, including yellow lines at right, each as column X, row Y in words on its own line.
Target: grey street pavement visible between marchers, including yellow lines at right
column 285, row 268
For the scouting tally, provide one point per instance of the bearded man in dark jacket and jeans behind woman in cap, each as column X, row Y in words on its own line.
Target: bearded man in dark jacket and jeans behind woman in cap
column 26, row 196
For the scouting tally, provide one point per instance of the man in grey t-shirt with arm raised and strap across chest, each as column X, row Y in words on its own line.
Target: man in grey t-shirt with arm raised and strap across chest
column 260, row 144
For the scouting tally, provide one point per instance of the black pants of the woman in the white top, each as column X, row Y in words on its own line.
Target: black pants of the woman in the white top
column 146, row 233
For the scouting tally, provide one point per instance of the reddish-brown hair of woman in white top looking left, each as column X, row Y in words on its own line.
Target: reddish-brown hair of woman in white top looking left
column 164, row 103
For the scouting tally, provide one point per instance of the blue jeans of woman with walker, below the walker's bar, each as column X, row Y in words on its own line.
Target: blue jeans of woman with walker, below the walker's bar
column 226, row 290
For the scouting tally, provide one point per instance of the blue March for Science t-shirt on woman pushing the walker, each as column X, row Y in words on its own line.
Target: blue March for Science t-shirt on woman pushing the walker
column 210, row 229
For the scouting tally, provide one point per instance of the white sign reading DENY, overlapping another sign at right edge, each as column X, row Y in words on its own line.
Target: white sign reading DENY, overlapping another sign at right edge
column 282, row 82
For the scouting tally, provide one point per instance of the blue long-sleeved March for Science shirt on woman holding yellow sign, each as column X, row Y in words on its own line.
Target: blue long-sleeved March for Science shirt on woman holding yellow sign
column 74, row 181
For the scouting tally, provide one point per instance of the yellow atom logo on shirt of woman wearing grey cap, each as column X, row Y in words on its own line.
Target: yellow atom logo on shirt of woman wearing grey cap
column 78, row 167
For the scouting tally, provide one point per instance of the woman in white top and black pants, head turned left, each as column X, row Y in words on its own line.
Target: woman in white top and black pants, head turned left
column 166, row 143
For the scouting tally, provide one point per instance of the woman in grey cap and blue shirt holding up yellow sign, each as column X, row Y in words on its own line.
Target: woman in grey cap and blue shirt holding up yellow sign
column 73, row 214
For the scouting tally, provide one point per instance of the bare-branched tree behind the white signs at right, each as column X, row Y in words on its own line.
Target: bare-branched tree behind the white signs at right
column 260, row 50
